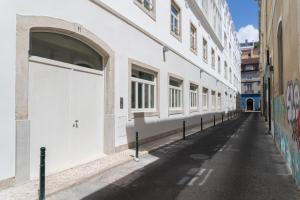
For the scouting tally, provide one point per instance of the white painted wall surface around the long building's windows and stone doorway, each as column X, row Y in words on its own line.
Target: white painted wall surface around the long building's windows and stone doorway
column 127, row 43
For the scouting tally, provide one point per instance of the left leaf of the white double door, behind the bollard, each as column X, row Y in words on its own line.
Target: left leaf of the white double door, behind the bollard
column 48, row 115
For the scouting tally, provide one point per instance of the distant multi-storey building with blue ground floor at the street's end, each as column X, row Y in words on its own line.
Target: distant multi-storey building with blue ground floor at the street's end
column 250, row 74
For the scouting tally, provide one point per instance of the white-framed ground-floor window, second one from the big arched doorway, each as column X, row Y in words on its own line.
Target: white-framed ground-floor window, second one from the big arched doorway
column 175, row 94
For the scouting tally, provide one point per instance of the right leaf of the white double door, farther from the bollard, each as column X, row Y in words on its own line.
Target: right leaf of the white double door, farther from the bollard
column 86, row 136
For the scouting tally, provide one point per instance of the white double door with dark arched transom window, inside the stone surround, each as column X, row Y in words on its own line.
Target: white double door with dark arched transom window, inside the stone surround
column 66, row 101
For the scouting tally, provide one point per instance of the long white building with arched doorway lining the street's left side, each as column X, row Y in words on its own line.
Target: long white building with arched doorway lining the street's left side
column 80, row 77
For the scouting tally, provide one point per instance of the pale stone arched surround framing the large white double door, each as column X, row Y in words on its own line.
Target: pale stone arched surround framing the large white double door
column 25, row 24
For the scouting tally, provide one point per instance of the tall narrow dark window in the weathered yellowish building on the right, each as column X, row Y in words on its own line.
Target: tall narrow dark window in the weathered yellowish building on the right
column 280, row 58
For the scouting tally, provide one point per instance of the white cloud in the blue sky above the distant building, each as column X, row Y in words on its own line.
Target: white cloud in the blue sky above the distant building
column 249, row 33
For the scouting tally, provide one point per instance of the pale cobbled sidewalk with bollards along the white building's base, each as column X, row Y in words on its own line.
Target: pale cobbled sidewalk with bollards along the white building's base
column 63, row 180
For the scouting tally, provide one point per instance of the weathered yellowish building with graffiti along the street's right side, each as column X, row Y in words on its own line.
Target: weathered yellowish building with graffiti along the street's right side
column 279, row 60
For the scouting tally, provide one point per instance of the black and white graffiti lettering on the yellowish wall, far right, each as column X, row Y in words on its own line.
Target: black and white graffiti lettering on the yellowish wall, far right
column 292, row 100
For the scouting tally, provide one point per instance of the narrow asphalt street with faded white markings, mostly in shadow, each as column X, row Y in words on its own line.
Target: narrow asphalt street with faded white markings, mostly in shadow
column 236, row 160
